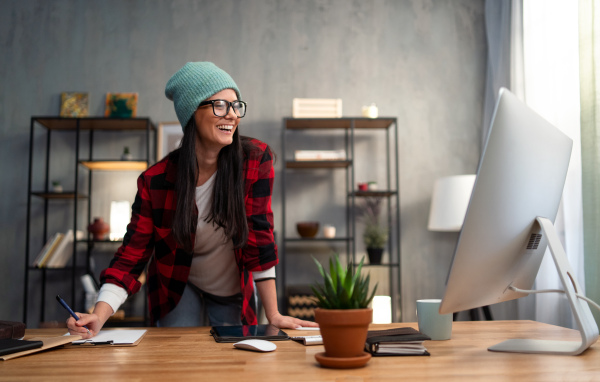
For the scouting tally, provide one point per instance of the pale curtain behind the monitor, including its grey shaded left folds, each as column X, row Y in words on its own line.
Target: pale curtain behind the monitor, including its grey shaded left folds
column 533, row 50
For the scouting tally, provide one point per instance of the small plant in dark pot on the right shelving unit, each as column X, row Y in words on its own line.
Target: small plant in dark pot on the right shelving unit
column 375, row 235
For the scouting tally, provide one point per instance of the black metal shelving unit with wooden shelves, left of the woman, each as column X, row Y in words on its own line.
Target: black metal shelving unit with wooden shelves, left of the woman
column 76, row 196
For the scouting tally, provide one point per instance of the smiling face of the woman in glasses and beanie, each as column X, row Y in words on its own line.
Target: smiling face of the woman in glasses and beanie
column 214, row 133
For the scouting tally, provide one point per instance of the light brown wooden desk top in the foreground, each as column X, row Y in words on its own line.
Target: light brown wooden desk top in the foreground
column 182, row 354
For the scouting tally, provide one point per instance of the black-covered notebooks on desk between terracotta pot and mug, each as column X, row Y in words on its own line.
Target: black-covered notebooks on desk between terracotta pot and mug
column 396, row 342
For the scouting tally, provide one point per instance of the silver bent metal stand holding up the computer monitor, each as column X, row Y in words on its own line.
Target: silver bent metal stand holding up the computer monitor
column 581, row 311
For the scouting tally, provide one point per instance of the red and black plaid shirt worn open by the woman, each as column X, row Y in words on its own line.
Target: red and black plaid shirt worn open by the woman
column 149, row 232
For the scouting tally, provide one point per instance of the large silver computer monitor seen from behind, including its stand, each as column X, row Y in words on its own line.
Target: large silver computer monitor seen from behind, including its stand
column 509, row 223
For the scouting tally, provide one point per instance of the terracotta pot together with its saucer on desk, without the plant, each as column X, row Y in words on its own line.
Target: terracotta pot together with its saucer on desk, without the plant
column 344, row 333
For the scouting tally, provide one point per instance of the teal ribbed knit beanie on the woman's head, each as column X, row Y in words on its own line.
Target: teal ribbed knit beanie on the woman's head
column 194, row 83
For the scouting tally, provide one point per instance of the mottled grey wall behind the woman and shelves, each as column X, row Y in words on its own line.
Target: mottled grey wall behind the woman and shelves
column 420, row 61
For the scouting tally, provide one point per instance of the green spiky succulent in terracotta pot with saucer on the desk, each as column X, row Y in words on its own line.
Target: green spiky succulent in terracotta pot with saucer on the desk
column 343, row 314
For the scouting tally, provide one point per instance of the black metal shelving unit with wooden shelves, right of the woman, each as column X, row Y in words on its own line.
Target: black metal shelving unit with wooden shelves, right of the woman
column 391, row 195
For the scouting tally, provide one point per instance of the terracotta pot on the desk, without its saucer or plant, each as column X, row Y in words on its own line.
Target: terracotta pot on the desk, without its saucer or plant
column 344, row 331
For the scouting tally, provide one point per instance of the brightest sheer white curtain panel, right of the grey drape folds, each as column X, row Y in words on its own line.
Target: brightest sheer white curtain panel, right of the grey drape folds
column 550, row 86
